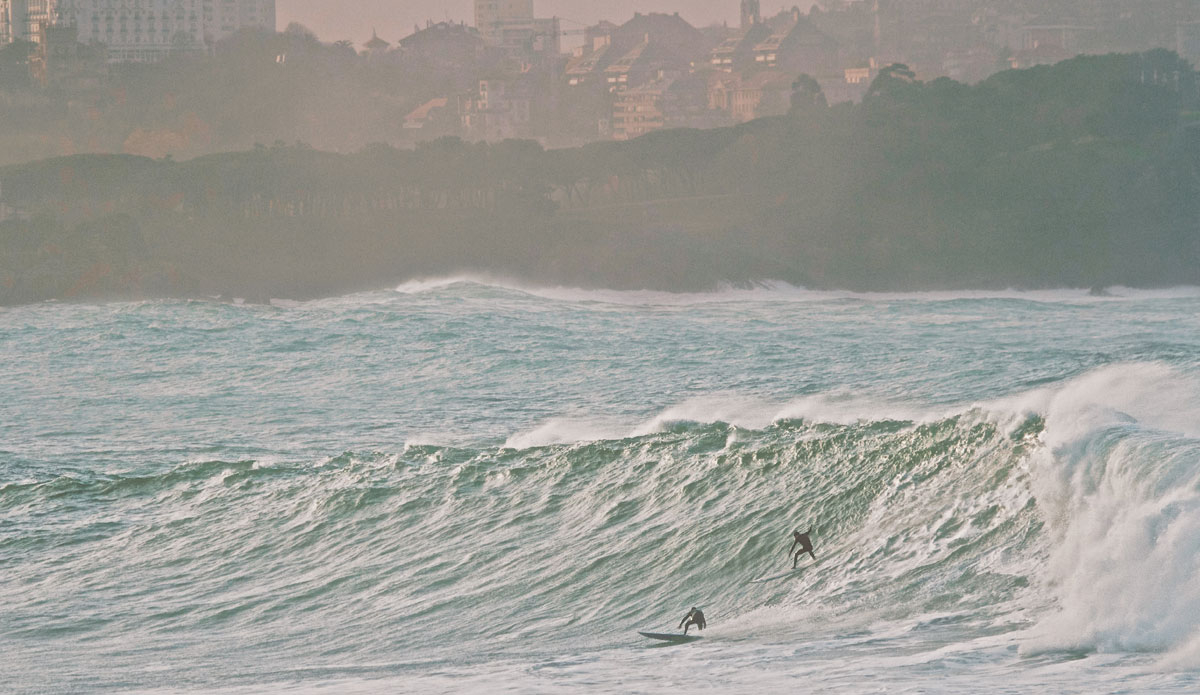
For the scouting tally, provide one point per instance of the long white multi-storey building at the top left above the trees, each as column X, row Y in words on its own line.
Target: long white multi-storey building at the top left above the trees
column 141, row 31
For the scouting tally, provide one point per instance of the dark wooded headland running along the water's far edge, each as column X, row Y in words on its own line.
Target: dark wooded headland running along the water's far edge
column 1087, row 173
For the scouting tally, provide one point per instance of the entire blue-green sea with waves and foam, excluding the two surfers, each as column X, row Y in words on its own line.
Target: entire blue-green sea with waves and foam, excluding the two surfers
column 470, row 486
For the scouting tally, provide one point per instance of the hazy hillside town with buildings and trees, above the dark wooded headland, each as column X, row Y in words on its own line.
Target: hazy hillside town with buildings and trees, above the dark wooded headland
column 513, row 74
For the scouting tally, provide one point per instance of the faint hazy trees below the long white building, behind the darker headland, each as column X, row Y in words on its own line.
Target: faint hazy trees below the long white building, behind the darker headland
column 255, row 88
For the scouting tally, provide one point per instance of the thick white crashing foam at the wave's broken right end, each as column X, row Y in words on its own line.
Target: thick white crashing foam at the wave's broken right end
column 1119, row 486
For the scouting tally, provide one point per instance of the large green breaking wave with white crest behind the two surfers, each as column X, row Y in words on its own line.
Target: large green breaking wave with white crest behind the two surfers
column 1069, row 516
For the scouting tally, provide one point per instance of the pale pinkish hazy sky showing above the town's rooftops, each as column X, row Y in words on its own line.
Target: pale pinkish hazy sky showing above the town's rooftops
column 335, row 20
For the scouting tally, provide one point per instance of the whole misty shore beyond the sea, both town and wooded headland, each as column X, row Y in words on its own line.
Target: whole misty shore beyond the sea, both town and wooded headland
column 185, row 149
